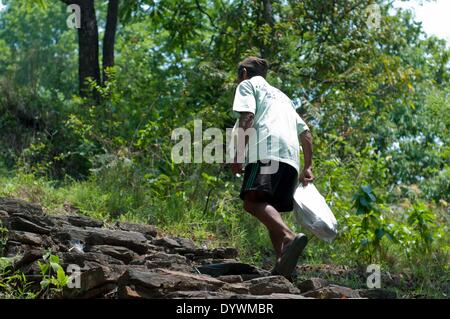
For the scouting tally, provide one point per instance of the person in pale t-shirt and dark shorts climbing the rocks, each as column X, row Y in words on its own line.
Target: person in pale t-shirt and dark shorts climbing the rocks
column 272, row 167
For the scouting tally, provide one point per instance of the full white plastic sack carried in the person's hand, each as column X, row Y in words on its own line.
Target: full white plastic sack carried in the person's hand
column 312, row 212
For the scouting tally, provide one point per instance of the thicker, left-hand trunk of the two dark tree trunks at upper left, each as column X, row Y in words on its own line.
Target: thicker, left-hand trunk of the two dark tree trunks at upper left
column 88, row 46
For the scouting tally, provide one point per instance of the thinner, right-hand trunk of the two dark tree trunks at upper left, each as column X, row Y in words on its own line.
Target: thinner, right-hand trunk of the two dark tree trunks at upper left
column 110, row 36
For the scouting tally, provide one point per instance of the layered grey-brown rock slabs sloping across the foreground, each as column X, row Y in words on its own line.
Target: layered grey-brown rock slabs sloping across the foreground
column 133, row 261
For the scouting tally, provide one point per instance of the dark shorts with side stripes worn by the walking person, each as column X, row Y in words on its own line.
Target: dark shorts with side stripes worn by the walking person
column 277, row 188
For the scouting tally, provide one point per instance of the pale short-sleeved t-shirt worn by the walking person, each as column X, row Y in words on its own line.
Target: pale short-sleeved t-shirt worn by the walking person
column 276, row 122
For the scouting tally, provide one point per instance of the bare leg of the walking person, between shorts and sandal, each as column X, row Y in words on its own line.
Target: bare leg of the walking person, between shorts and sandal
column 279, row 233
